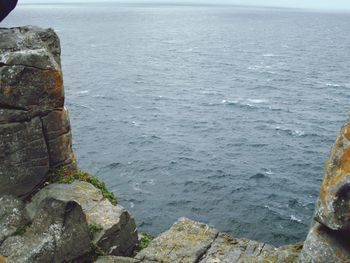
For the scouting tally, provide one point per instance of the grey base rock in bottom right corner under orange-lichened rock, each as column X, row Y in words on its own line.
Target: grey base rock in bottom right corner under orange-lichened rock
column 324, row 245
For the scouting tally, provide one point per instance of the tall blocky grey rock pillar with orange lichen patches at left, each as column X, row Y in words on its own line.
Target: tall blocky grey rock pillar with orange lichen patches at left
column 35, row 133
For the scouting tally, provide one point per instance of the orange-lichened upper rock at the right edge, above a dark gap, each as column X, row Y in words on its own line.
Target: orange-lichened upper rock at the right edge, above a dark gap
column 333, row 206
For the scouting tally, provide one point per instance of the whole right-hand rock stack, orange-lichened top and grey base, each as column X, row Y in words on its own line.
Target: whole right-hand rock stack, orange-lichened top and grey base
column 328, row 239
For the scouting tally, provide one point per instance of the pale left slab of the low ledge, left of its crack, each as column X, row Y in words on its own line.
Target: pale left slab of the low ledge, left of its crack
column 185, row 241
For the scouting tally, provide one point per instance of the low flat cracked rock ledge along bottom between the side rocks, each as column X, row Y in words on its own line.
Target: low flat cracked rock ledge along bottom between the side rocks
column 189, row 241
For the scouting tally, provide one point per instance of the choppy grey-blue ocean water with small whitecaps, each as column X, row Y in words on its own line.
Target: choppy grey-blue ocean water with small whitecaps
column 222, row 114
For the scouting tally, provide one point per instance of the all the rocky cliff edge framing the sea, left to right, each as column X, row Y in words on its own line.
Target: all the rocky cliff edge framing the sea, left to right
column 50, row 211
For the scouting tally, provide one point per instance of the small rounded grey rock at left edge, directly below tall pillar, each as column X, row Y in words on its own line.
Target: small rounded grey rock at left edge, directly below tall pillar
column 12, row 216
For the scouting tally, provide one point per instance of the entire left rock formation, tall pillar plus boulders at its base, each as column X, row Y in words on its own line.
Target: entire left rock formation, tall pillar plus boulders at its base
column 42, row 221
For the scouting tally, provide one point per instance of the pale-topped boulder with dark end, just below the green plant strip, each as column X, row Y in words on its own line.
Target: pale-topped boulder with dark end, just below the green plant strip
column 118, row 234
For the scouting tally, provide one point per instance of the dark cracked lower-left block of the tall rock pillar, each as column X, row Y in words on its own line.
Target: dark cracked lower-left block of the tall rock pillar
column 24, row 157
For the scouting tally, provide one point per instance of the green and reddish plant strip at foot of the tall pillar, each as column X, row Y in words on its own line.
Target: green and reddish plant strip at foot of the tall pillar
column 67, row 176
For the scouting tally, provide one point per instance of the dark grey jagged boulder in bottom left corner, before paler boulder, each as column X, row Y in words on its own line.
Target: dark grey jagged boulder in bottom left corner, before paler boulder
column 59, row 233
